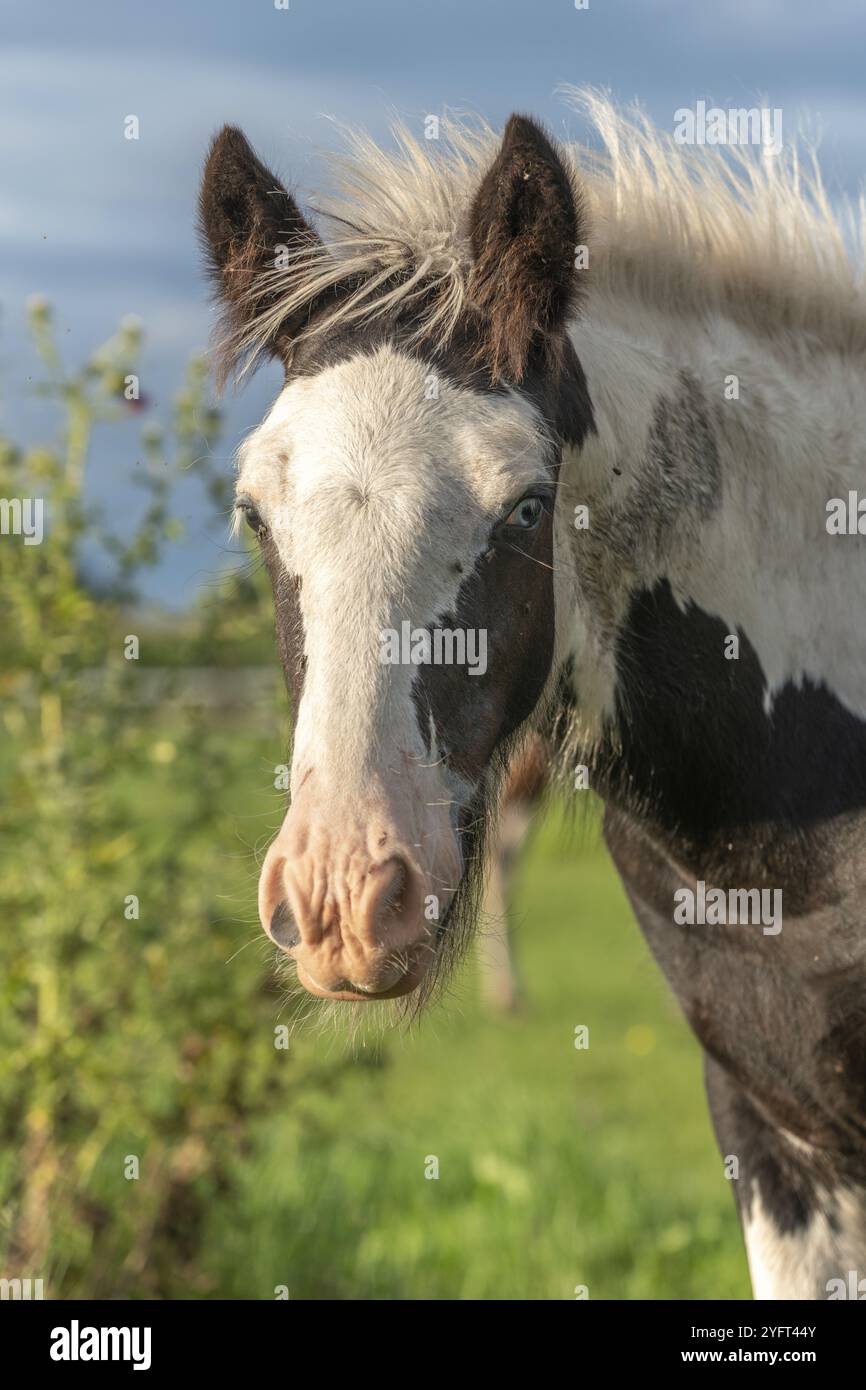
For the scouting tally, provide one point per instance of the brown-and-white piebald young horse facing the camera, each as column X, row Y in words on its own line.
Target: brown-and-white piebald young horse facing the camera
column 571, row 439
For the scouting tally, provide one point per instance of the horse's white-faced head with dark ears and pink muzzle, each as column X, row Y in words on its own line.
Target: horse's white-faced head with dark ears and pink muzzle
column 404, row 491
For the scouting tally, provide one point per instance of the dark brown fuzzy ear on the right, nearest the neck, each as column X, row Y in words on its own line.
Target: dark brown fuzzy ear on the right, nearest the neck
column 526, row 226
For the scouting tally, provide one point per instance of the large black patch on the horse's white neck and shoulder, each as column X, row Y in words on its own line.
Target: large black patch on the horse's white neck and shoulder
column 694, row 749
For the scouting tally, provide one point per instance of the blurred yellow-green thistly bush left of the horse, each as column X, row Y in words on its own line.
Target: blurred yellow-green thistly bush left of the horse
column 124, row 1038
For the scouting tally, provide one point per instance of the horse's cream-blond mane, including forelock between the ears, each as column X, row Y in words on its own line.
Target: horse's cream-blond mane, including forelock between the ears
column 687, row 230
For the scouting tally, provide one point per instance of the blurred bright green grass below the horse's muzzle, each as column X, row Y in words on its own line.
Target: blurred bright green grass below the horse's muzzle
column 557, row 1167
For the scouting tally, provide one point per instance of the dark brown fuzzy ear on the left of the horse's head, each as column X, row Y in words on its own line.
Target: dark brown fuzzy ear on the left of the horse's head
column 245, row 215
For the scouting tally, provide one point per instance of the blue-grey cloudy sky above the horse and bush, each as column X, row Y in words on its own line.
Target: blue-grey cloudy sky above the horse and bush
column 105, row 227
